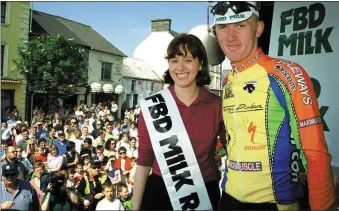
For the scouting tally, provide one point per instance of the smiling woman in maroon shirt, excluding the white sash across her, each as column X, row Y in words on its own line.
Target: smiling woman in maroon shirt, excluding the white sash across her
column 187, row 76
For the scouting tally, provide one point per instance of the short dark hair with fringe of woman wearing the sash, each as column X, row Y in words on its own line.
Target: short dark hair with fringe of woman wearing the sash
column 194, row 45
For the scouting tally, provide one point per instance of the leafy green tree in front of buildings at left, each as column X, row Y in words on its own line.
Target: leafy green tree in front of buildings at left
column 54, row 65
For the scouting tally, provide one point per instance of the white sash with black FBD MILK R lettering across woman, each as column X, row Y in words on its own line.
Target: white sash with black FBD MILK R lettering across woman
column 174, row 153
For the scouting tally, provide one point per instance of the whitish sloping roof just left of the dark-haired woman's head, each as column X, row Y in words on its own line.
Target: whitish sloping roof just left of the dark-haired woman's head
column 138, row 68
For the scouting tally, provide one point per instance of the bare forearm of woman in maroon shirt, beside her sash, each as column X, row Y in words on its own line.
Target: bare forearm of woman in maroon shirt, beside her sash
column 141, row 176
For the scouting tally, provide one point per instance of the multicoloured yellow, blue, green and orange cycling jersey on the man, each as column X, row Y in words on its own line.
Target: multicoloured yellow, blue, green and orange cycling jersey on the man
column 274, row 131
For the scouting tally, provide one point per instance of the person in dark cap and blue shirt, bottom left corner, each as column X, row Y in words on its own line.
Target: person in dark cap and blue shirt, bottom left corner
column 16, row 194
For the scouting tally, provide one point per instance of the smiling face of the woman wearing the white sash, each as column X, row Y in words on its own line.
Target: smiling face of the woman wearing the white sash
column 184, row 69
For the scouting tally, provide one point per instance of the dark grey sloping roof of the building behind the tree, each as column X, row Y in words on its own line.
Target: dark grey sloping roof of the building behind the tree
column 81, row 33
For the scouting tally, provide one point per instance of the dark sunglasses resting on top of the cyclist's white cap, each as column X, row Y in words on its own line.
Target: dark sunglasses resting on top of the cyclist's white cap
column 221, row 8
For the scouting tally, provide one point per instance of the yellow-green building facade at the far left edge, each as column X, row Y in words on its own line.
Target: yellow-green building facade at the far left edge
column 15, row 26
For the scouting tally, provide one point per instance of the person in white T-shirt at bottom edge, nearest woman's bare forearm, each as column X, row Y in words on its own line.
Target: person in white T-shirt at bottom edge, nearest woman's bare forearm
column 109, row 202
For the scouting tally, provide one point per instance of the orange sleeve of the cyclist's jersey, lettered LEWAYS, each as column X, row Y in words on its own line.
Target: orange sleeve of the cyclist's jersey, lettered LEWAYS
column 307, row 131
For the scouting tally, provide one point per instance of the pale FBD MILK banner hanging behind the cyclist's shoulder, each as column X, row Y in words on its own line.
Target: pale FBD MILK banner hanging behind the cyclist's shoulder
column 308, row 34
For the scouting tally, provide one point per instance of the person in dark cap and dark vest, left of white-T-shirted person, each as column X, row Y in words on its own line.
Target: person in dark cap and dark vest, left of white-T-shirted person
column 90, row 190
